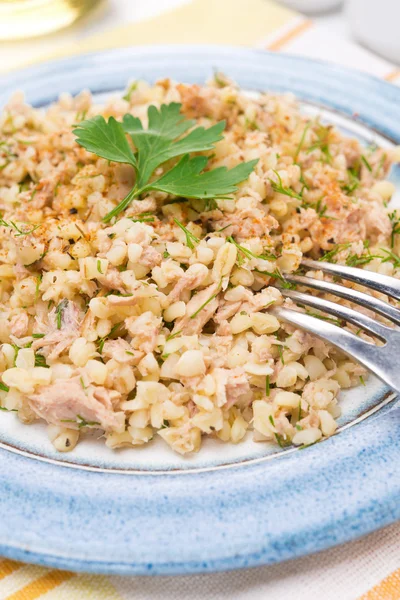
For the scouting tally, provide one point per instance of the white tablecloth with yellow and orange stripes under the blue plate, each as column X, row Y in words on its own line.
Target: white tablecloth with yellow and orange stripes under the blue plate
column 367, row 569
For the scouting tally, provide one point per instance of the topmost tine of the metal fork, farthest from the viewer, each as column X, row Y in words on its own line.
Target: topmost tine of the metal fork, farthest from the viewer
column 376, row 281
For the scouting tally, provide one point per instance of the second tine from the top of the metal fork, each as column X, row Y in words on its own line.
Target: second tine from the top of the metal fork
column 370, row 302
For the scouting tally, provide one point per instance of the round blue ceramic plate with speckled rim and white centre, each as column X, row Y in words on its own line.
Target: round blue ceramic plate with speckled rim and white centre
column 142, row 511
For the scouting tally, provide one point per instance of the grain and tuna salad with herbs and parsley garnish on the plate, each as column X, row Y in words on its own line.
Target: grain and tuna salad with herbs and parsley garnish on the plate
column 143, row 243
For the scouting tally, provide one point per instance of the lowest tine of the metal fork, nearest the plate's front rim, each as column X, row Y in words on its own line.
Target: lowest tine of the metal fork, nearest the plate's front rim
column 364, row 352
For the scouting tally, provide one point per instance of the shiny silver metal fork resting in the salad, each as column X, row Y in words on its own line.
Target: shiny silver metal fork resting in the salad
column 384, row 360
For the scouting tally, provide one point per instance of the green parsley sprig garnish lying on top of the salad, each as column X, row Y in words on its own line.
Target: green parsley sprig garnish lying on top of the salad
column 166, row 138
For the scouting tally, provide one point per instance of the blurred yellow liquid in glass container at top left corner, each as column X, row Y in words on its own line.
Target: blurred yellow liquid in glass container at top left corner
column 20, row 19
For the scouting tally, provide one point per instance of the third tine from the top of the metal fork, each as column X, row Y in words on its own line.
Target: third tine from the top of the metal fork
column 341, row 312
